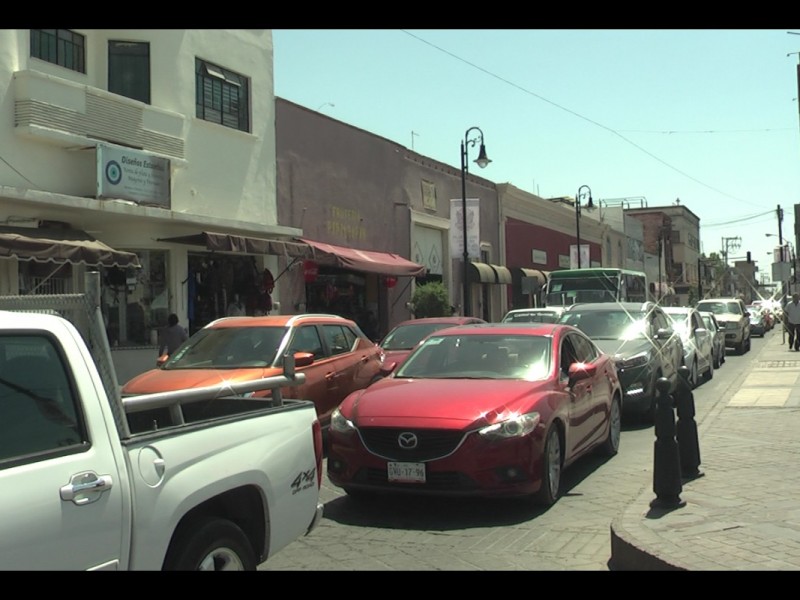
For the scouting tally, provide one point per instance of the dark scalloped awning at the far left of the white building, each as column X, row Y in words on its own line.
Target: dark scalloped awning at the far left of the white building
column 61, row 246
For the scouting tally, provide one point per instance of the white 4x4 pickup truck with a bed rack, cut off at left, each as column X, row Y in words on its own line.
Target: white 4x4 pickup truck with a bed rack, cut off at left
column 86, row 483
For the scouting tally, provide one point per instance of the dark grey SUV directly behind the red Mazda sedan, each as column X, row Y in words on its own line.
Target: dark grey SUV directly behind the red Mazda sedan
column 641, row 339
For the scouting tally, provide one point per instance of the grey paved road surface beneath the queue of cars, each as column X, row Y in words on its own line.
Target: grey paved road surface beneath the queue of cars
column 482, row 535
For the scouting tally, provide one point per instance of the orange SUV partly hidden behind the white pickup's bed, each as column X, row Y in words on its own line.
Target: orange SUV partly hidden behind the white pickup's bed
column 335, row 356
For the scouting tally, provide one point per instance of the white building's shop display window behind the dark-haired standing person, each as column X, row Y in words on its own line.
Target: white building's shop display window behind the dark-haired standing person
column 136, row 302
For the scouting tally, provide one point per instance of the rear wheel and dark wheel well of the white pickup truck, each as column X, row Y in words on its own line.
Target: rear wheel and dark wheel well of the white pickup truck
column 210, row 544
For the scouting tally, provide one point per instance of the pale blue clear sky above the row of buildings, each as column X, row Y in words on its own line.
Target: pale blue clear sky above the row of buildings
column 647, row 117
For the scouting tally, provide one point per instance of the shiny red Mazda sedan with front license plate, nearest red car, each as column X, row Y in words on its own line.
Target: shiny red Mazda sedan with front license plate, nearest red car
column 480, row 410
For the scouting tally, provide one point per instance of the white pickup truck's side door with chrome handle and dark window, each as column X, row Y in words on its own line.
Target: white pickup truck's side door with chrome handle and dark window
column 63, row 499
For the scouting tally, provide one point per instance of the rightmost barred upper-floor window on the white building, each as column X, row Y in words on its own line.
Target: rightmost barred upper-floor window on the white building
column 222, row 96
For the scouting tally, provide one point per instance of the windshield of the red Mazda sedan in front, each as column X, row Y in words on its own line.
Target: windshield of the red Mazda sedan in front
column 479, row 357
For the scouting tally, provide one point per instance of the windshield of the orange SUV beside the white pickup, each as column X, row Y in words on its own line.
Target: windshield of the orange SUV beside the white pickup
column 229, row 348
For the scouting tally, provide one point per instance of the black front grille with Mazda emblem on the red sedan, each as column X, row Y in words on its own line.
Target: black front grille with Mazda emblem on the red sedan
column 431, row 444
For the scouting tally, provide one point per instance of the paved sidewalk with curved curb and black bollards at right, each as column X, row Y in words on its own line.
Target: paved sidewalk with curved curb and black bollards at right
column 743, row 513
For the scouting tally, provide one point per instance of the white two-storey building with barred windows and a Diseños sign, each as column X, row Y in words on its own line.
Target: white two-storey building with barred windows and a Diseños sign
column 135, row 137
